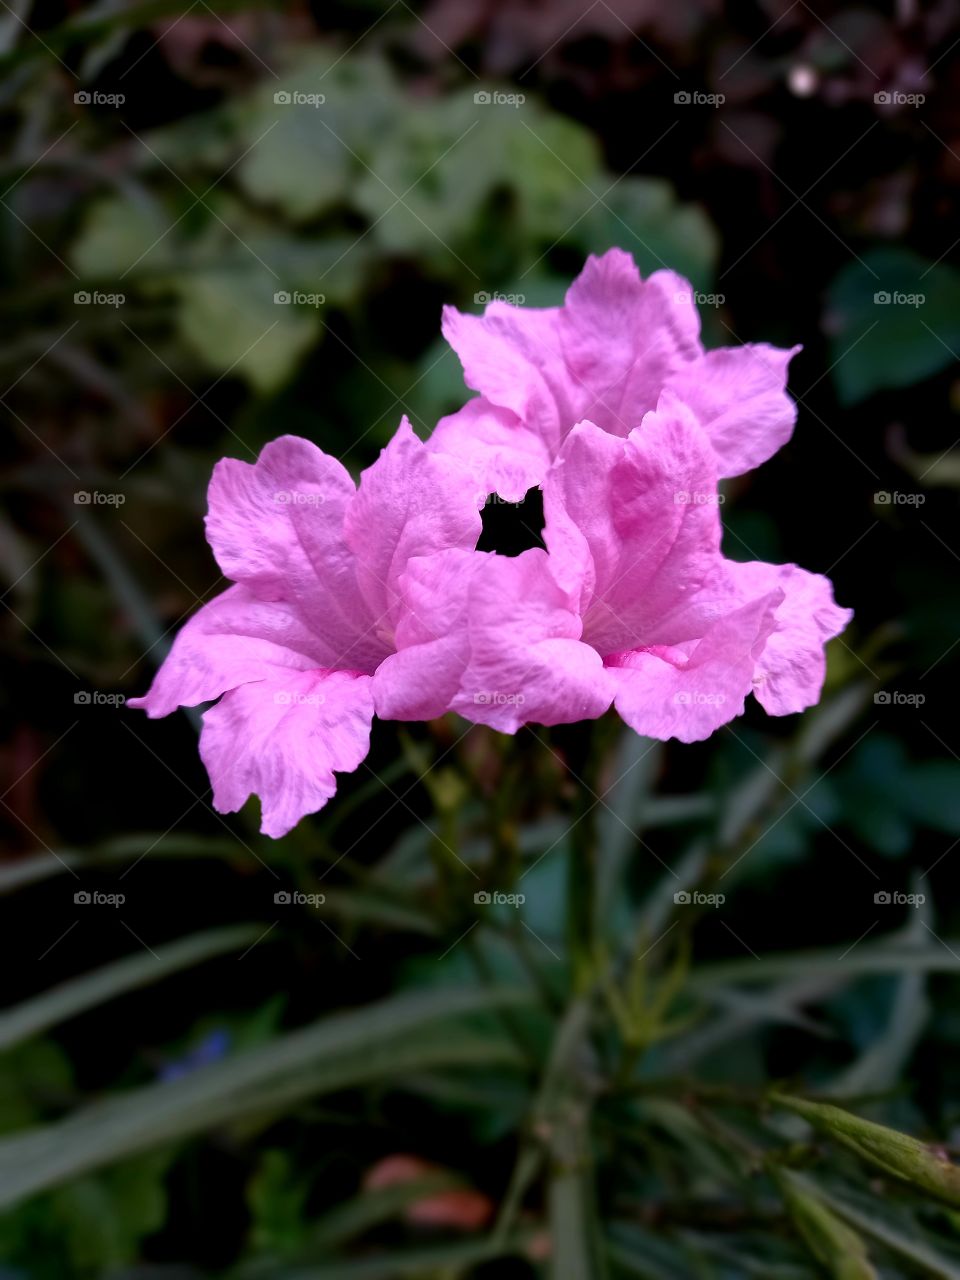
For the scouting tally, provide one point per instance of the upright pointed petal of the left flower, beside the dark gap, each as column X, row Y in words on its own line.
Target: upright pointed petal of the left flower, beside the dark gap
column 410, row 502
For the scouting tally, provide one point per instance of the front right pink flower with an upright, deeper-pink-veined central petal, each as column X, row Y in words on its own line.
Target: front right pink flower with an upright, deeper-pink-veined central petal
column 633, row 604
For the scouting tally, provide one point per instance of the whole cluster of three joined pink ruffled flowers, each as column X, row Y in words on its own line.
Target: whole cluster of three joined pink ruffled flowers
column 353, row 601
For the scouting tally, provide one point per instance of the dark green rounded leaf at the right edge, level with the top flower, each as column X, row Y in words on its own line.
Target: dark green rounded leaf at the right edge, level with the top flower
column 879, row 345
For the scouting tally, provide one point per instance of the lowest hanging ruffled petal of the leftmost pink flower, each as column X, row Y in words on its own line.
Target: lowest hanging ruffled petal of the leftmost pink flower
column 282, row 739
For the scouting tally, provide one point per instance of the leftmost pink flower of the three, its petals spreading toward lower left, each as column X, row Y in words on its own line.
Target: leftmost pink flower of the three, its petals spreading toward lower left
column 295, row 644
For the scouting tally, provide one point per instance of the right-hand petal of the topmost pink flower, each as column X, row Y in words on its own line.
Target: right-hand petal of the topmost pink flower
column 739, row 395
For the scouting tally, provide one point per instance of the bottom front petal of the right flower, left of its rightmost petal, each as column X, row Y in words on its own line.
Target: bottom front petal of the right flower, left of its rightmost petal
column 688, row 692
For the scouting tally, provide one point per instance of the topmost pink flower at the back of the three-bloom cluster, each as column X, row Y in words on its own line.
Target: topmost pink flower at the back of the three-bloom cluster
column 605, row 356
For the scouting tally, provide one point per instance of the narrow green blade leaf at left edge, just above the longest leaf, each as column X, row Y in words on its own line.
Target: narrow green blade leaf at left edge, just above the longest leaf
column 97, row 989
